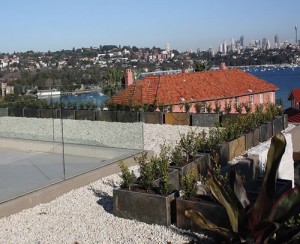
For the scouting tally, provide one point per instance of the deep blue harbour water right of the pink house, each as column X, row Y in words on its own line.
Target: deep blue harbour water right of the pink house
column 284, row 78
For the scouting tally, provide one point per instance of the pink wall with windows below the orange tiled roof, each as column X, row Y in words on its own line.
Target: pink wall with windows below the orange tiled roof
column 257, row 99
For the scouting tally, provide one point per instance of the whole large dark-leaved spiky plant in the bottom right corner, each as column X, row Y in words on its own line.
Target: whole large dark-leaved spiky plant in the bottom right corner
column 263, row 222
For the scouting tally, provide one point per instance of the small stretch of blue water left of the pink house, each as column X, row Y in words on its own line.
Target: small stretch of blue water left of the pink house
column 94, row 97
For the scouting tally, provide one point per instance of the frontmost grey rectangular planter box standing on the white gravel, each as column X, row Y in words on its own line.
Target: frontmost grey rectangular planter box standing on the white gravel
column 148, row 208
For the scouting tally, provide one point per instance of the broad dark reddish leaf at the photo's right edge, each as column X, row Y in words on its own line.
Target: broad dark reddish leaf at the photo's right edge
column 286, row 206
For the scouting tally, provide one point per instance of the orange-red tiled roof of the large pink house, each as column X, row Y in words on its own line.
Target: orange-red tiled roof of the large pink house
column 199, row 86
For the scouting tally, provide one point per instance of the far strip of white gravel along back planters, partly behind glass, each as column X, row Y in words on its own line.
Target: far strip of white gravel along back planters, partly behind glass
column 120, row 135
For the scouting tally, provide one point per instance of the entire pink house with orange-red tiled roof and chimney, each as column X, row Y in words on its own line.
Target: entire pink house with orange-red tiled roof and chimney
column 206, row 88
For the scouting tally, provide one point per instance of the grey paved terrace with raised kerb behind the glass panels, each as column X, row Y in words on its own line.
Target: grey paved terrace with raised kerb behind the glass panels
column 35, row 173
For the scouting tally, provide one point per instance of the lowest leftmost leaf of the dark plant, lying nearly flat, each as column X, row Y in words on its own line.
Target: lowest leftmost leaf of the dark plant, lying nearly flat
column 202, row 222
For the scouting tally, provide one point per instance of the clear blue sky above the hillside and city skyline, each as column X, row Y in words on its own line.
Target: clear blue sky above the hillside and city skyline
column 43, row 25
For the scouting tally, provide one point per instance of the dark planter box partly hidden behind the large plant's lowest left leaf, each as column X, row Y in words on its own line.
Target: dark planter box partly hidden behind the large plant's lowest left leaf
column 212, row 211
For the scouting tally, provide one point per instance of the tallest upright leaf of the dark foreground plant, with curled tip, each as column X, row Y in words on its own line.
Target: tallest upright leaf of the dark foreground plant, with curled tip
column 265, row 198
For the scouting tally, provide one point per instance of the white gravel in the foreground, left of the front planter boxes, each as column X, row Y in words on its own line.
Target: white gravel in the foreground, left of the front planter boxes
column 84, row 217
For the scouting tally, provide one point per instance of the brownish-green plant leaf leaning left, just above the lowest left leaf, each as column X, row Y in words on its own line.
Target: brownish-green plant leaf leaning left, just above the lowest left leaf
column 221, row 195
